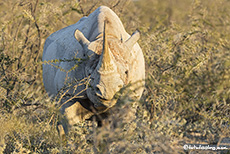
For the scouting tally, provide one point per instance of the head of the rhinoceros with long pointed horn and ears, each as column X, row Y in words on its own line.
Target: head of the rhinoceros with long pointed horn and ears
column 108, row 65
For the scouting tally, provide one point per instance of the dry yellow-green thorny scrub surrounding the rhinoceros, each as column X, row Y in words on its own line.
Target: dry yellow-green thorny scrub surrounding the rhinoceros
column 186, row 45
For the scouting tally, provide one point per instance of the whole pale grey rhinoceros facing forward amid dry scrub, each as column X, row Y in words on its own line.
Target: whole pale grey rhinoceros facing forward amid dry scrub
column 95, row 58
